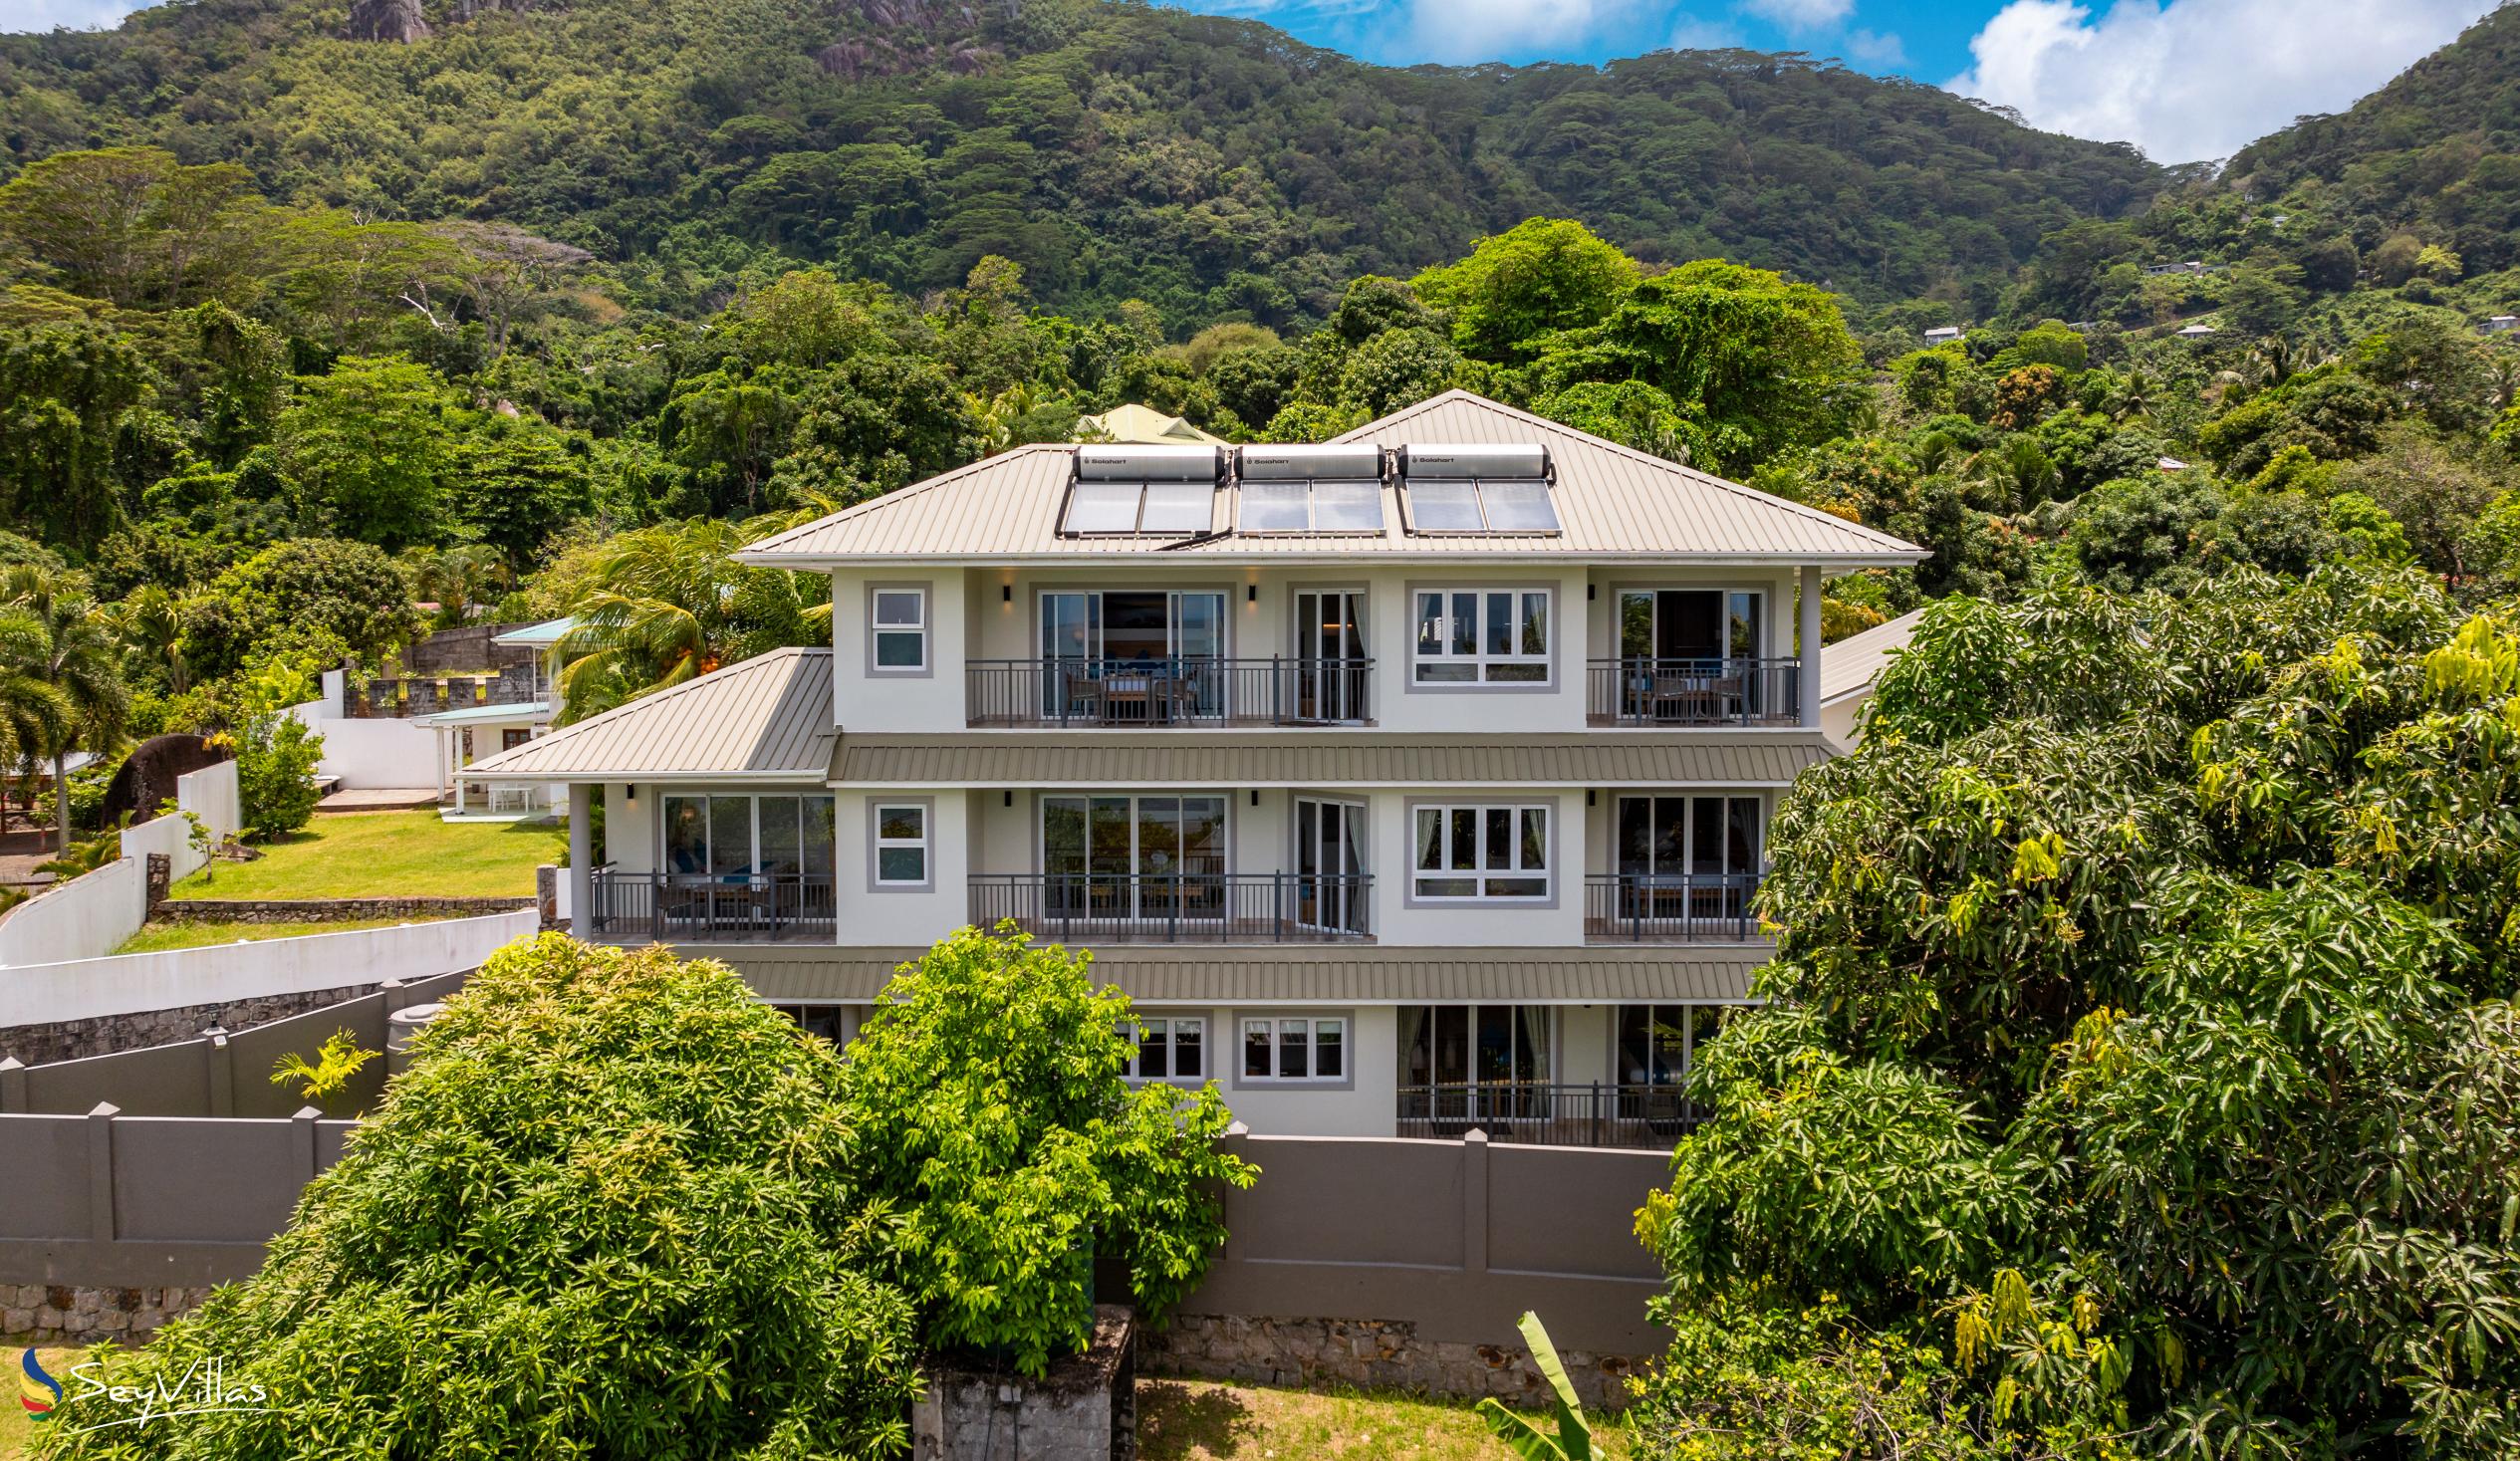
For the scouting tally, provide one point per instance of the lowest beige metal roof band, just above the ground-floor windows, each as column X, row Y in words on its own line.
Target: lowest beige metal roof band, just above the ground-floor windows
column 1309, row 974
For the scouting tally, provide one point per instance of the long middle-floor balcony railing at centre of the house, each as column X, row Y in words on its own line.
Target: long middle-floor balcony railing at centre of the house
column 1216, row 908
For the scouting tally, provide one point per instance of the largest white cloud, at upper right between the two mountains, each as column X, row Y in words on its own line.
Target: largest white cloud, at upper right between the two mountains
column 2199, row 79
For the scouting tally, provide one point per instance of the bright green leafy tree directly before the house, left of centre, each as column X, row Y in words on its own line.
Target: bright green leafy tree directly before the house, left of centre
column 992, row 1120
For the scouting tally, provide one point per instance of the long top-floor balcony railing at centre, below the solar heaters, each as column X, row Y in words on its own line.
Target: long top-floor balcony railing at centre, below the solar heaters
column 1173, row 691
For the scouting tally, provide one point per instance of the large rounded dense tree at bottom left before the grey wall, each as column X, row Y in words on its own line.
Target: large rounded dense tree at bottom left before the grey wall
column 609, row 1213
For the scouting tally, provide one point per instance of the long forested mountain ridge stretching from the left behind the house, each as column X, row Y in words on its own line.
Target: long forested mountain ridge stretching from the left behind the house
column 1211, row 168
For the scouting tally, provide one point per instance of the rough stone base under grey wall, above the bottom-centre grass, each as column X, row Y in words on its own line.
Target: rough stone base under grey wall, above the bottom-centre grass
column 1370, row 1356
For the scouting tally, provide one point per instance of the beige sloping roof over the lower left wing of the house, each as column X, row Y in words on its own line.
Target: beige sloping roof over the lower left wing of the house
column 757, row 719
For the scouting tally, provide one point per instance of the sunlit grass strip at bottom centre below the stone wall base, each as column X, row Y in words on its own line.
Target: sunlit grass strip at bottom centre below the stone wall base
column 1211, row 1422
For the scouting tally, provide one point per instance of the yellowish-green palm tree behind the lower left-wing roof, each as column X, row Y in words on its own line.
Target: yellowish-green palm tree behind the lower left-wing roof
column 672, row 603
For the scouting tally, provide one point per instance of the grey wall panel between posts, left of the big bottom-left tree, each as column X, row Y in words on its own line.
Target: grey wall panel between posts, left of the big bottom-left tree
column 198, row 1180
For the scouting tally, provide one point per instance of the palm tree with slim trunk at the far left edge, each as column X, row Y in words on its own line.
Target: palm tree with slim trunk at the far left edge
column 67, row 644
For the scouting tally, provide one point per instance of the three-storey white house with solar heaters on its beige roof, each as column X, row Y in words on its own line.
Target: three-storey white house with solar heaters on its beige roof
column 1412, row 782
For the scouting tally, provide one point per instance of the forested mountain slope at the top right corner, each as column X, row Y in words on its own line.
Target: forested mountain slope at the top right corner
column 2436, row 152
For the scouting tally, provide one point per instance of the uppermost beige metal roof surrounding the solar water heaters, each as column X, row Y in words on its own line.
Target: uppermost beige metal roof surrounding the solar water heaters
column 1612, row 503
